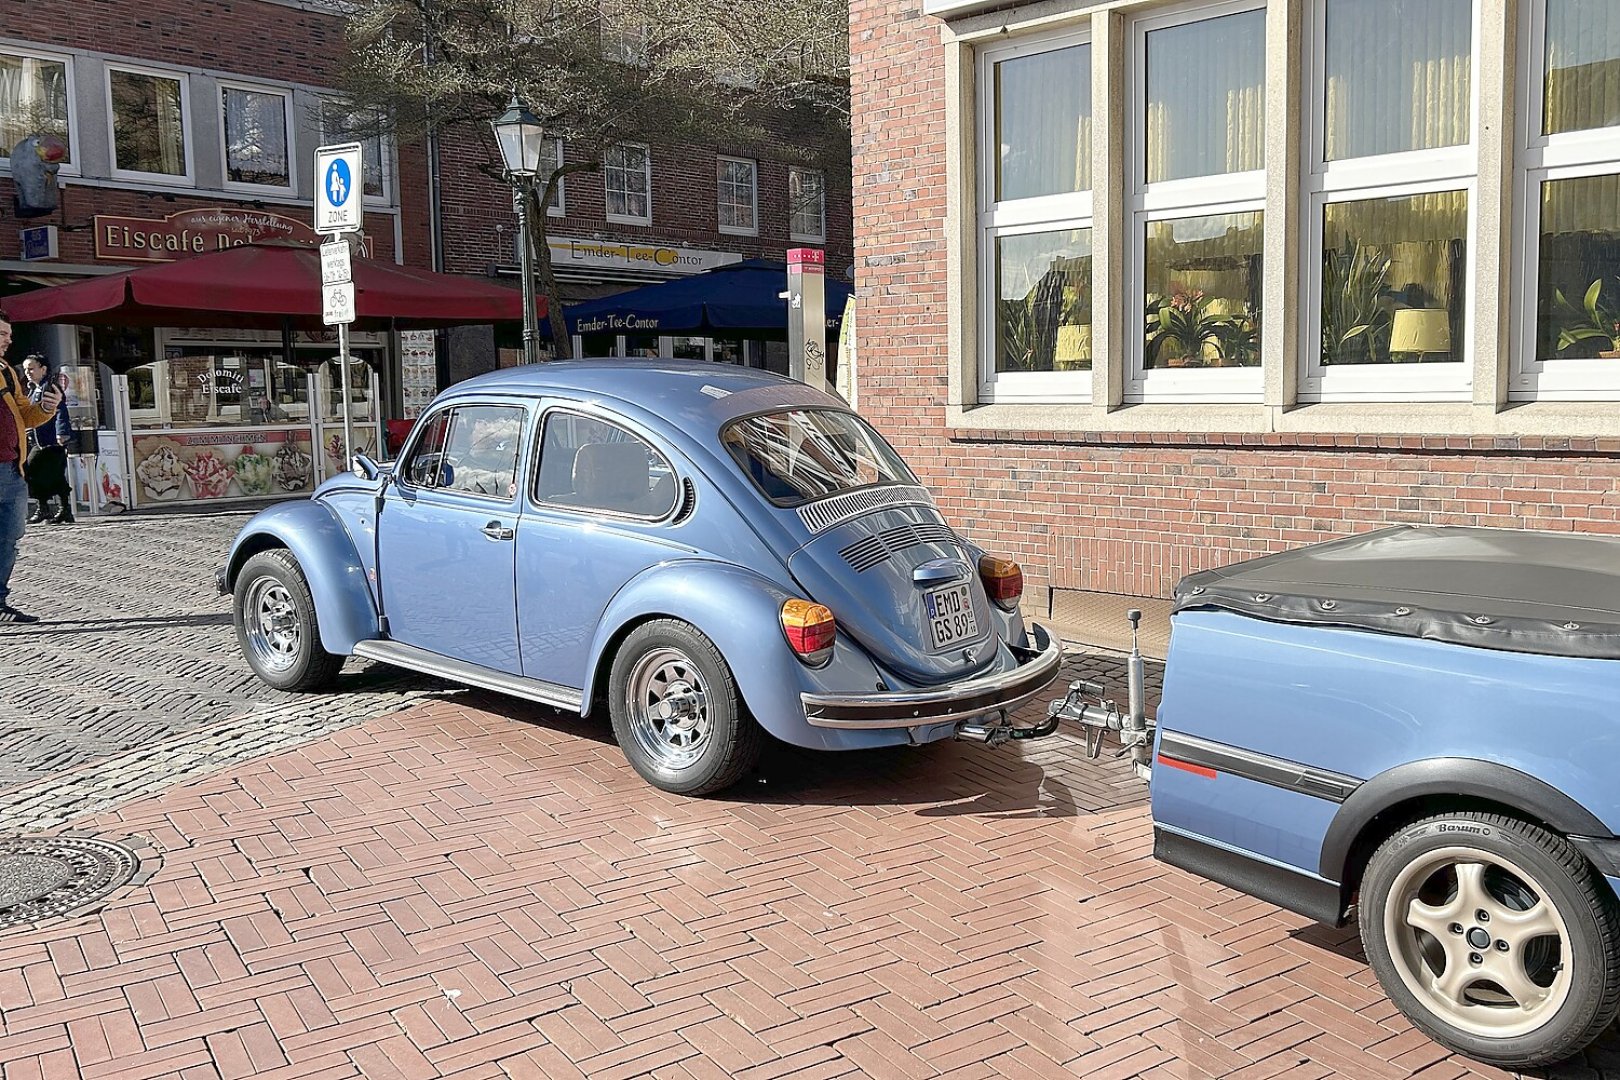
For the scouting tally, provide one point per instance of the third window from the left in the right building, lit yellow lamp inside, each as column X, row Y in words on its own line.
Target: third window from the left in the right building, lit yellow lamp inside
column 1389, row 202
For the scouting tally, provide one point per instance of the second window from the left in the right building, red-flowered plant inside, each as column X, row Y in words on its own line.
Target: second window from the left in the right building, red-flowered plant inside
column 1198, row 203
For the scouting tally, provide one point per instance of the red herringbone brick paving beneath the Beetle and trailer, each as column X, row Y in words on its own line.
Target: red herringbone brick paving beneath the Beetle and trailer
column 469, row 891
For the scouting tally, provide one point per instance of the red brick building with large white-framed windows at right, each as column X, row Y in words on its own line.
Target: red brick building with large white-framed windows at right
column 1154, row 287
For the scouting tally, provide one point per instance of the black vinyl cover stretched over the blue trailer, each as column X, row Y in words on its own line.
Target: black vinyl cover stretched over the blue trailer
column 1514, row 590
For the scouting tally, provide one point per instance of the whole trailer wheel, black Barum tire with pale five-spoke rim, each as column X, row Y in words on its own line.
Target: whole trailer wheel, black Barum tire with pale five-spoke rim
column 1472, row 878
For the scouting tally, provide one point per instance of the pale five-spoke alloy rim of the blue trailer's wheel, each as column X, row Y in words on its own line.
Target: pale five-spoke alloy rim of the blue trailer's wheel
column 1480, row 943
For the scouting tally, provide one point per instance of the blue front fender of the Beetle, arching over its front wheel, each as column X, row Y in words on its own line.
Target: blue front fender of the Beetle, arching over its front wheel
column 326, row 555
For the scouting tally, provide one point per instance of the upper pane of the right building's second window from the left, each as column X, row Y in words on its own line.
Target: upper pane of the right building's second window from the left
column 1206, row 98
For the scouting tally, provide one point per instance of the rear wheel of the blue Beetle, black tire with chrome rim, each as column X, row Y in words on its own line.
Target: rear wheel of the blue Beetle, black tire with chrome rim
column 710, row 742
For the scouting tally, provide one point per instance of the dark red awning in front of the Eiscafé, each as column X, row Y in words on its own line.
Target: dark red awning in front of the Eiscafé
column 268, row 287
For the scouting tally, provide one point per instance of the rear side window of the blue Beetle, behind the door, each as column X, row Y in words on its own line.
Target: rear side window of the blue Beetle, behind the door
column 595, row 466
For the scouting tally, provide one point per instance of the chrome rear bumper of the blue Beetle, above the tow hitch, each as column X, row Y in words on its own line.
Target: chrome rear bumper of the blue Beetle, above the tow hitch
column 965, row 700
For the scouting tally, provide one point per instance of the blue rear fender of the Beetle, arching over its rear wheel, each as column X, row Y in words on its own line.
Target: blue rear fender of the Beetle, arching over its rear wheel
column 741, row 613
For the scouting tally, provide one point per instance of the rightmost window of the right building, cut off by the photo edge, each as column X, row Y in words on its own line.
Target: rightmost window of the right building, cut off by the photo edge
column 1569, row 344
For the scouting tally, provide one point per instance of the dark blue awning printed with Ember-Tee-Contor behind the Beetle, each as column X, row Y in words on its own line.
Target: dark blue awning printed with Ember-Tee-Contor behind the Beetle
column 736, row 299
